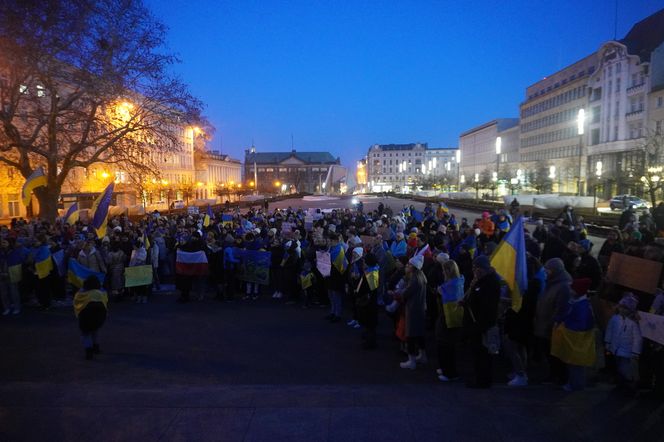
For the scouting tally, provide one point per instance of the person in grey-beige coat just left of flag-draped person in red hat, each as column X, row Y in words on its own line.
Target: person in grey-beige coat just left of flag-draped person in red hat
column 553, row 303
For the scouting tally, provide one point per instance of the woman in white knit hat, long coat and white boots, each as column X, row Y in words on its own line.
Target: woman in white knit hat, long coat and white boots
column 414, row 299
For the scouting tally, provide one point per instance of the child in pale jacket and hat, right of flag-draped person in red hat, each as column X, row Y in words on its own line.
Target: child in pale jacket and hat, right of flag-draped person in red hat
column 623, row 338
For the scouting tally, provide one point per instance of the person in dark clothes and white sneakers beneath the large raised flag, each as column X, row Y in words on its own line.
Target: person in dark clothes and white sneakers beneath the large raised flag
column 518, row 326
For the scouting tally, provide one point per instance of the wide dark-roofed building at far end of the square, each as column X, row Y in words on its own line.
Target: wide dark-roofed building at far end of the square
column 291, row 171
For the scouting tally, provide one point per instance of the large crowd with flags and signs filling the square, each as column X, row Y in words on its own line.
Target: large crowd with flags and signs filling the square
column 425, row 273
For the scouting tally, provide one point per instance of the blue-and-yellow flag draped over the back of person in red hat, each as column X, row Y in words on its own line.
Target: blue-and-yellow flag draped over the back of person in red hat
column 573, row 341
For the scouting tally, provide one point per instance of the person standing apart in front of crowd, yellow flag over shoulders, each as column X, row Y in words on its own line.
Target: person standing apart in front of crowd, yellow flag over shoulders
column 90, row 304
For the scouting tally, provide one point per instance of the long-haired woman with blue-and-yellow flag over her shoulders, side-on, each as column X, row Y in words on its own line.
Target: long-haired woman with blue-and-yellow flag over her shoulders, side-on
column 450, row 321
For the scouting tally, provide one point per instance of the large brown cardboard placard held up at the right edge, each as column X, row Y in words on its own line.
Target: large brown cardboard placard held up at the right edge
column 635, row 273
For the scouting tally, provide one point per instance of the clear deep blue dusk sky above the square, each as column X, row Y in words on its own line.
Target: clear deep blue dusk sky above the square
column 341, row 76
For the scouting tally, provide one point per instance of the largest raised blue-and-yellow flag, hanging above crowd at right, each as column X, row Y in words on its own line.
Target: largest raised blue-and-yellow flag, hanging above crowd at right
column 509, row 260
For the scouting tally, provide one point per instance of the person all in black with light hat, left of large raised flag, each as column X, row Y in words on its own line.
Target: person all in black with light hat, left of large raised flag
column 480, row 314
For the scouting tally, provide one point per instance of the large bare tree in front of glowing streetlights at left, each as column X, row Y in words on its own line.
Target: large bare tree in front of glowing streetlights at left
column 85, row 82
